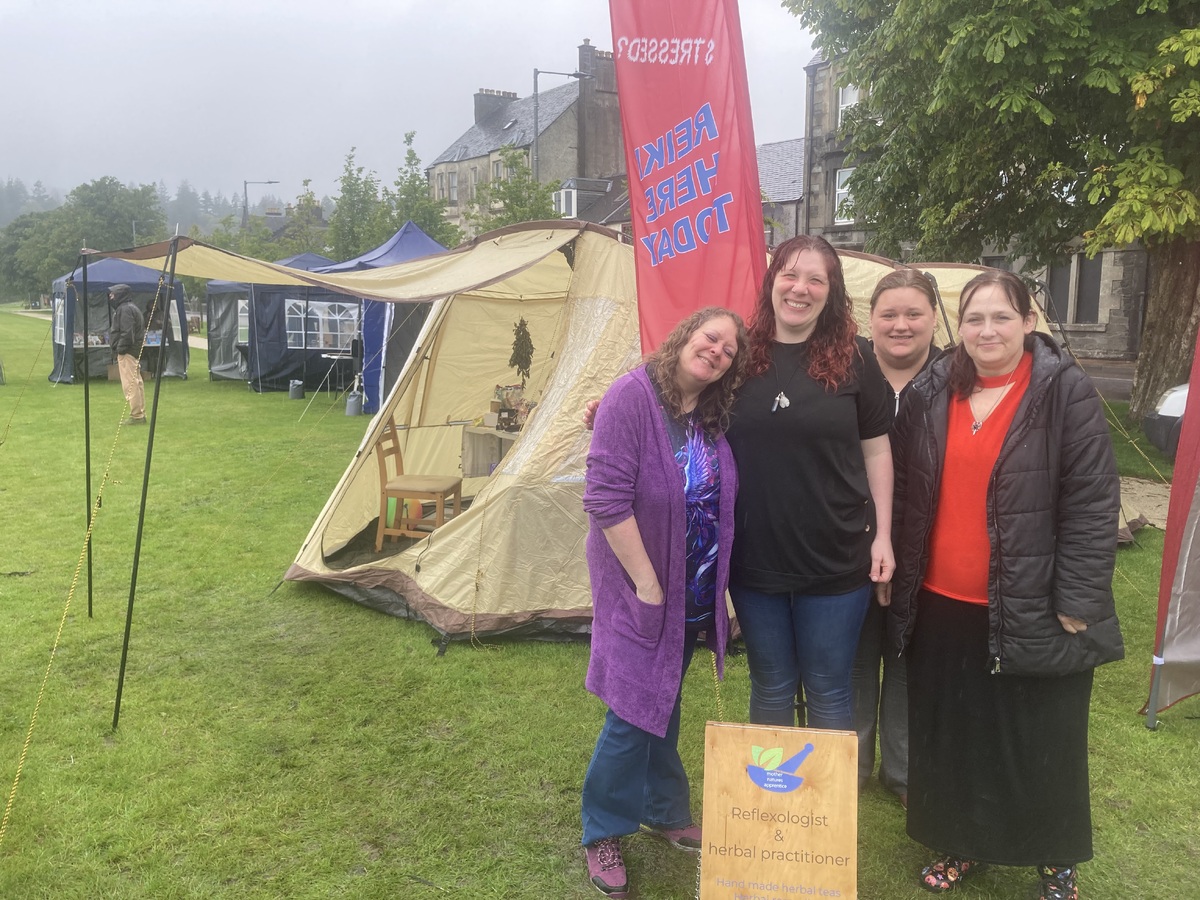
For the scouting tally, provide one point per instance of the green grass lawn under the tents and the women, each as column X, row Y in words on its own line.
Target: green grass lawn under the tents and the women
column 279, row 741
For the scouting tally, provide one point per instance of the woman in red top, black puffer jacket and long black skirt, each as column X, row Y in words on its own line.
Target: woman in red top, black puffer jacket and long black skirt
column 1006, row 521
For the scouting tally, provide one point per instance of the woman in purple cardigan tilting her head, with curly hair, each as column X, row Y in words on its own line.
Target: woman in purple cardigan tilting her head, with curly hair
column 661, row 491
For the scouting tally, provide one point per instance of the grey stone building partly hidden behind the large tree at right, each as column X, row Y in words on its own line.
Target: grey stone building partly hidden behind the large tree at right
column 1096, row 305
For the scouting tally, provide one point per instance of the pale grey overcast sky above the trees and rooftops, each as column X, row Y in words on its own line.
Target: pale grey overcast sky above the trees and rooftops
column 220, row 92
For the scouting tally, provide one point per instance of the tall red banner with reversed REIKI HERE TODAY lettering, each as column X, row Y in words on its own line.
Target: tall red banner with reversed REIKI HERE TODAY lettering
column 694, row 193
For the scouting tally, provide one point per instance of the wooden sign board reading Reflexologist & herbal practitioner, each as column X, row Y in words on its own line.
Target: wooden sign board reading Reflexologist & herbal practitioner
column 781, row 814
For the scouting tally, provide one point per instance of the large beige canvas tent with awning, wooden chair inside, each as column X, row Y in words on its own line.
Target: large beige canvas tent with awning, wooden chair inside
column 513, row 562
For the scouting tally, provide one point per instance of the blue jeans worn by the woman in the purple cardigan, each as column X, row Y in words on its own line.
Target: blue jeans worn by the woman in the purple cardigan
column 635, row 777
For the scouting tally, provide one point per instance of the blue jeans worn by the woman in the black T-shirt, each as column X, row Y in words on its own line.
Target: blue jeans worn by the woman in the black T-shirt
column 801, row 640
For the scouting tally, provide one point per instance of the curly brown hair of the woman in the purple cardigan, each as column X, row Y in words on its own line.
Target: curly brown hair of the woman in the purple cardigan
column 716, row 401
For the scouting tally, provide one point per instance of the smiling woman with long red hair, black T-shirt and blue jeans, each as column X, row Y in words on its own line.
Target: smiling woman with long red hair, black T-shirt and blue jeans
column 809, row 433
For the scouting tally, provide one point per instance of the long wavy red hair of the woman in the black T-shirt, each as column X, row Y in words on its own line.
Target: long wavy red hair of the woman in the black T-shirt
column 832, row 347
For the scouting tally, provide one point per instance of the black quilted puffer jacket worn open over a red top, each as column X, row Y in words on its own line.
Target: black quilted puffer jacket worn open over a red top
column 1053, row 505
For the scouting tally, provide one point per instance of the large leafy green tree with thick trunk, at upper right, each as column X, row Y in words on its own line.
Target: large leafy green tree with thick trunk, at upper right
column 1031, row 125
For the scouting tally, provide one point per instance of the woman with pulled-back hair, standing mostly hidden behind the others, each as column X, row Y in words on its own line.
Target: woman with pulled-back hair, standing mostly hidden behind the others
column 903, row 322
